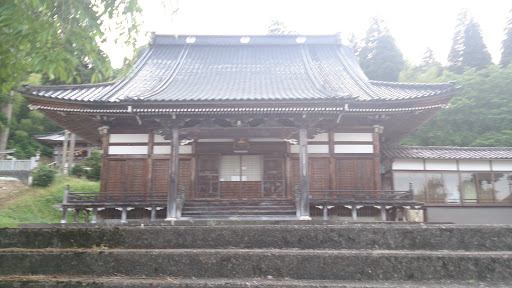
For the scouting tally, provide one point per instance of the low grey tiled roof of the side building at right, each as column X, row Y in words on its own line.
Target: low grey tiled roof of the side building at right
column 444, row 152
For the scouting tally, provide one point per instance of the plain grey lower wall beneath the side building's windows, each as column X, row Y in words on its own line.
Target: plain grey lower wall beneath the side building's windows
column 470, row 215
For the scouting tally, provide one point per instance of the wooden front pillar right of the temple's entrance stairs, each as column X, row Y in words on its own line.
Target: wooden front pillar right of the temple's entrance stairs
column 304, row 174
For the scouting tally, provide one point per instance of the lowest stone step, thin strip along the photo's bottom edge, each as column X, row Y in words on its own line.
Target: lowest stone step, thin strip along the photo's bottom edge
column 165, row 282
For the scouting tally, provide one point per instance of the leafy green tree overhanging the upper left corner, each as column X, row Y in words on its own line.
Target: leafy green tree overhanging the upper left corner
column 57, row 37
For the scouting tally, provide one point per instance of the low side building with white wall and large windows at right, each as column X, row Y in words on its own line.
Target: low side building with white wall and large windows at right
column 465, row 185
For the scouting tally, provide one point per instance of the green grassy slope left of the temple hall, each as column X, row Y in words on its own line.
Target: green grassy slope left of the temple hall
column 35, row 204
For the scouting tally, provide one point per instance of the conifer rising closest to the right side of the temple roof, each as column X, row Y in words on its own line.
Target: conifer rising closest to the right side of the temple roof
column 379, row 57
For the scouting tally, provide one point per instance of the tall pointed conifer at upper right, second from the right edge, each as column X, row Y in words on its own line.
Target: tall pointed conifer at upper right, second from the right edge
column 468, row 47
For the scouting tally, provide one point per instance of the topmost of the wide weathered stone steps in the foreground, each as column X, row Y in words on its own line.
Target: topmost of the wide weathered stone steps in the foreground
column 201, row 234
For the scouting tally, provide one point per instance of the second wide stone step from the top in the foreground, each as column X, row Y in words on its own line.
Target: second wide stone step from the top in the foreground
column 260, row 263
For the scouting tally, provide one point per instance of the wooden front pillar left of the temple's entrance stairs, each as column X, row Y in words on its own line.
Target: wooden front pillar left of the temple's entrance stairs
column 172, row 194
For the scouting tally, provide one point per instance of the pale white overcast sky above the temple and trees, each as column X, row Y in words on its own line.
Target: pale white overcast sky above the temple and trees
column 415, row 25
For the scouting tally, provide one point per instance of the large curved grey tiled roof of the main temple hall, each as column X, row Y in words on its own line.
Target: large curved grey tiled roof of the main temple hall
column 222, row 68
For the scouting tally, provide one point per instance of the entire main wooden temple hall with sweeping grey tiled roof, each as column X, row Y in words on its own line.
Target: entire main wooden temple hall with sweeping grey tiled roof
column 252, row 119
